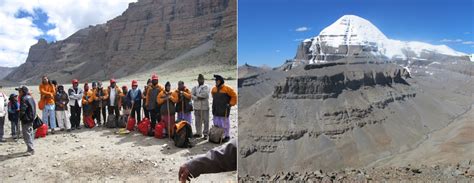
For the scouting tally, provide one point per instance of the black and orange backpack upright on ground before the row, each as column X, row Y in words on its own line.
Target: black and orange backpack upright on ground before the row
column 182, row 134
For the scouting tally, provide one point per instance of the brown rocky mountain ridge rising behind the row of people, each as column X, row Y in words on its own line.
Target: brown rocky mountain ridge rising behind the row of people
column 148, row 34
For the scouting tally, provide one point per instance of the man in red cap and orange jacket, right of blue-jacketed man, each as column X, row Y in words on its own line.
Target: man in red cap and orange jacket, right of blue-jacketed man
column 152, row 92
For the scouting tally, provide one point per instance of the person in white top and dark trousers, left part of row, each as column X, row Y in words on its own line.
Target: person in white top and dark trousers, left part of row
column 75, row 103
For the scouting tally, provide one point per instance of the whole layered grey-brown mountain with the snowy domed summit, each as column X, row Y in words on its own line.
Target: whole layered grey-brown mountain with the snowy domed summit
column 329, row 111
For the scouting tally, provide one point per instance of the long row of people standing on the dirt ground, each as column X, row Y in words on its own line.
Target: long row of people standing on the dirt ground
column 158, row 103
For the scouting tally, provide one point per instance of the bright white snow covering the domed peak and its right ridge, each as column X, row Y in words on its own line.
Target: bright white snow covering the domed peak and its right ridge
column 354, row 30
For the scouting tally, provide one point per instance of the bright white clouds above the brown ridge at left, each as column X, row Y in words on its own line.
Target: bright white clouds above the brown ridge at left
column 17, row 35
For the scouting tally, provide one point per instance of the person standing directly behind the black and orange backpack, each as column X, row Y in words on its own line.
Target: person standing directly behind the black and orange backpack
column 184, row 105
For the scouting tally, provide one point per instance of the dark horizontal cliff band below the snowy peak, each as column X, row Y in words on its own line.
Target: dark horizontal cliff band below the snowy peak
column 325, row 86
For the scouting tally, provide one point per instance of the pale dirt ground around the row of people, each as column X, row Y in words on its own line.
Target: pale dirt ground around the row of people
column 102, row 155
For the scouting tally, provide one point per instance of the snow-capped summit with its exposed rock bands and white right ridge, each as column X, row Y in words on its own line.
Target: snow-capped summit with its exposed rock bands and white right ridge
column 353, row 35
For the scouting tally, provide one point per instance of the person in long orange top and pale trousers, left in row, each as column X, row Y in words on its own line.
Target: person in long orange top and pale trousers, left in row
column 47, row 104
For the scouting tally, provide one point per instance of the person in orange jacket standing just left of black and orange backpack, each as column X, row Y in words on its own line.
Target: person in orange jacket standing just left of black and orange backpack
column 167, row 100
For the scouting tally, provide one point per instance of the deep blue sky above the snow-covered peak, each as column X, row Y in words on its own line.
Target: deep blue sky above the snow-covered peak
column 267, row 29
